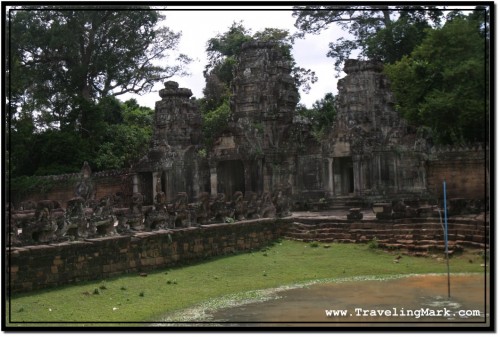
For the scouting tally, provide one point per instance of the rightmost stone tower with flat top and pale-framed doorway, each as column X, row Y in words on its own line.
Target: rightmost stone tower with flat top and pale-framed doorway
column 372, row 151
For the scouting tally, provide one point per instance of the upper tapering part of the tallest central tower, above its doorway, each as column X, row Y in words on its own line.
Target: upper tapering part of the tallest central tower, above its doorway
column 264, row 95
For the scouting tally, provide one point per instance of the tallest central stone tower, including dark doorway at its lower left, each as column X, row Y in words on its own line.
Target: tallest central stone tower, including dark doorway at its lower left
column 254, row 153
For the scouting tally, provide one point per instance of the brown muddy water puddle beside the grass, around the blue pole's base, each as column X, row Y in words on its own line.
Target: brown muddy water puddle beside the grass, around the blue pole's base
column 416, row 299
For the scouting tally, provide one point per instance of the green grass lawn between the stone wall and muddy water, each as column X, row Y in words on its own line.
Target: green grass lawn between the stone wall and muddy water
column 135, row 298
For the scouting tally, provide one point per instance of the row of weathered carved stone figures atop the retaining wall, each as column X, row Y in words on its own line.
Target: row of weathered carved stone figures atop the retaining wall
column 46, row 221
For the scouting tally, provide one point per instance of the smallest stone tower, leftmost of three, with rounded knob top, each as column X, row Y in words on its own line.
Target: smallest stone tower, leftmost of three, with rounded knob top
column 171, row 165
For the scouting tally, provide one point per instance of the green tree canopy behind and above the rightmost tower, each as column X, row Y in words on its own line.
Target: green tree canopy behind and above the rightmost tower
column 436, row 59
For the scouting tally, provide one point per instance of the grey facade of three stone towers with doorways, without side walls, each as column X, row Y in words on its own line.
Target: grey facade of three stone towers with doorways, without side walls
column 266, row 149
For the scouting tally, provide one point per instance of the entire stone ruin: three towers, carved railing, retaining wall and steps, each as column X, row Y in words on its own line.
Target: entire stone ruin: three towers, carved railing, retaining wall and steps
column 264, row 163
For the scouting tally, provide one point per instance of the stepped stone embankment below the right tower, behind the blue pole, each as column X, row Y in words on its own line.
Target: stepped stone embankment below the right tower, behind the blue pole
column 412, row 234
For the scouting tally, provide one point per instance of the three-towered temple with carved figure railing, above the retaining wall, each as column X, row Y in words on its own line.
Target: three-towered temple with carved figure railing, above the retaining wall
column 265, row 163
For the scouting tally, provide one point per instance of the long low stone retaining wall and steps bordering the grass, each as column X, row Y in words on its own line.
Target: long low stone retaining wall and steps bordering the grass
column 43, row 266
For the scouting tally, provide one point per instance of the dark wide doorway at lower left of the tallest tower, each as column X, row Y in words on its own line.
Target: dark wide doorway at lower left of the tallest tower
column 230, row 177
